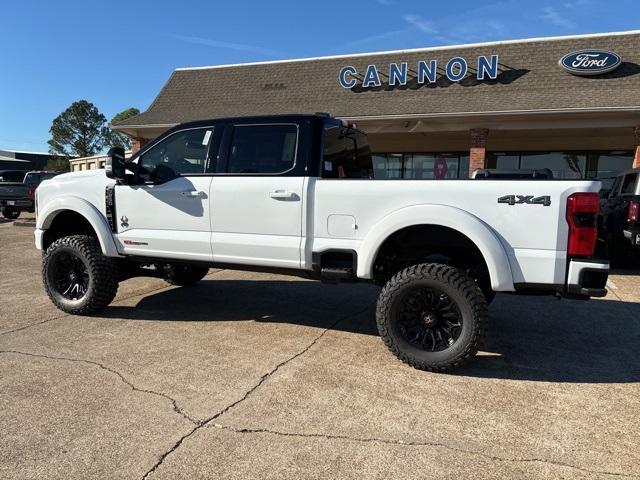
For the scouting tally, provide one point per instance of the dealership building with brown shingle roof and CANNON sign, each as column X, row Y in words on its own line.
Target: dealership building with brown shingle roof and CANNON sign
column 570, row 104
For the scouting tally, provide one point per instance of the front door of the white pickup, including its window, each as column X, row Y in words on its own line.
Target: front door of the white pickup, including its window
column 167, row 214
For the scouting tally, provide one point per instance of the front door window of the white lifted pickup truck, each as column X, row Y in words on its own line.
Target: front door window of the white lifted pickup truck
column 183, row 153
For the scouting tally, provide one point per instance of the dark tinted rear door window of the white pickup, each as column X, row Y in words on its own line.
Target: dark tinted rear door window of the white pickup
column 262, row 149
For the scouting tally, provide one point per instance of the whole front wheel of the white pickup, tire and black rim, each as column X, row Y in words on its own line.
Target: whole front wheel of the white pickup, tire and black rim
column 78, row 278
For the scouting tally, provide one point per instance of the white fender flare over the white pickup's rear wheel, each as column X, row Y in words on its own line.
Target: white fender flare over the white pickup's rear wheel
column 467, row 224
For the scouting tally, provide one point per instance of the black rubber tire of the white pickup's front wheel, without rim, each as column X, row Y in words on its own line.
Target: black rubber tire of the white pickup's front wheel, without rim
column 102, row 271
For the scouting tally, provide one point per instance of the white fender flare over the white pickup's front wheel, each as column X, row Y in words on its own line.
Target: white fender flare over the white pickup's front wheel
column 88, row 211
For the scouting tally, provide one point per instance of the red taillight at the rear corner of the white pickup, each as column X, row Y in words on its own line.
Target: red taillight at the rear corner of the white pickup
column 582, row 209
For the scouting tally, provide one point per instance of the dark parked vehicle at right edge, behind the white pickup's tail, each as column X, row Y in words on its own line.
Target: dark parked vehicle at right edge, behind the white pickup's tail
column 618, row 222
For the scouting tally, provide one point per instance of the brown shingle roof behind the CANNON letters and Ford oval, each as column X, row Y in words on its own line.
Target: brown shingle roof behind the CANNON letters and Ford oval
column 530, row 79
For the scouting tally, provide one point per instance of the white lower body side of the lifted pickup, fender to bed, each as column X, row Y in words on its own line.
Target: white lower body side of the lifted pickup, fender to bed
column 280, row 221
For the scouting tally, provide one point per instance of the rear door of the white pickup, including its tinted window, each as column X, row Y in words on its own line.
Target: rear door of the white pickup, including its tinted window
column 256, row 198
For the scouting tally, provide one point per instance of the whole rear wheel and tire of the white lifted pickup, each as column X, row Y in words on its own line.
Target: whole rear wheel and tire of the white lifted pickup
column 432, row 316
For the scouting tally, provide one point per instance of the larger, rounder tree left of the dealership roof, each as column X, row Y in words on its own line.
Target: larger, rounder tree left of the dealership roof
column 79, row 131
